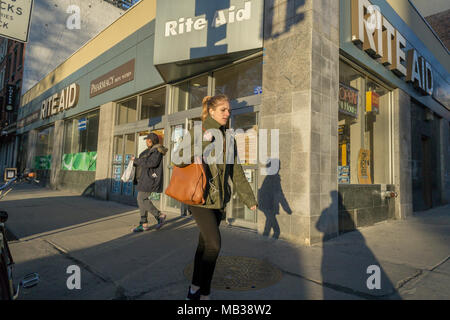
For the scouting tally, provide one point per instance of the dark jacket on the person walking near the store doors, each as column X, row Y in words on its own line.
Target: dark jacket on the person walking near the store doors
column 149, row 171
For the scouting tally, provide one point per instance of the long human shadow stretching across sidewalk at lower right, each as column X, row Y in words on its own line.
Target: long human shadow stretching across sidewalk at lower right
column 354, row 271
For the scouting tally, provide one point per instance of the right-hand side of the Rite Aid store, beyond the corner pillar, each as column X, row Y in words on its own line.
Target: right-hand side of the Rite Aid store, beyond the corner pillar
column 391, row 70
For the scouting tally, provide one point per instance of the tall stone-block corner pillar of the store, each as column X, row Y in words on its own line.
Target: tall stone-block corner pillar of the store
column 301, row 81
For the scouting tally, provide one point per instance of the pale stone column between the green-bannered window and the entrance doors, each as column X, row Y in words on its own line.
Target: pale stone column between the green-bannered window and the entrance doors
column 104, row 150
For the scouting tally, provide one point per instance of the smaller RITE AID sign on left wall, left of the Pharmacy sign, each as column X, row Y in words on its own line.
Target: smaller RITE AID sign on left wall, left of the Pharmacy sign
column 66, row 99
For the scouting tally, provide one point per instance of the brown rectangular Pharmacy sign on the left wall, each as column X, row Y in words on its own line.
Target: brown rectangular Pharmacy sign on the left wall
column 112, row 79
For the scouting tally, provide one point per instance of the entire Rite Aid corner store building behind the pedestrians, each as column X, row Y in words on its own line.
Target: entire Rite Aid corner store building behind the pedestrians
column 343, row 107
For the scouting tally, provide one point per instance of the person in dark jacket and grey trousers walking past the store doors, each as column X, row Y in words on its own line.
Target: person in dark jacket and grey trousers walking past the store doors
column 149, row 175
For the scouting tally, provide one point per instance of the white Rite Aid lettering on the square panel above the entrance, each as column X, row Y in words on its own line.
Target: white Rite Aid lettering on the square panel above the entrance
column 221, row 17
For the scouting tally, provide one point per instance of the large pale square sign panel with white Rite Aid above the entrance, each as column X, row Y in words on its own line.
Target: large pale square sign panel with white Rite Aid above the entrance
column 186, row 30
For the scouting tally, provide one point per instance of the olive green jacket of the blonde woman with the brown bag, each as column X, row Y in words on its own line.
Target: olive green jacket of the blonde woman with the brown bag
column 218, row 191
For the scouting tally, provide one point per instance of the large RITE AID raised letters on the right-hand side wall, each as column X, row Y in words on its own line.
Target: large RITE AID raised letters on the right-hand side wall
column 382, row 41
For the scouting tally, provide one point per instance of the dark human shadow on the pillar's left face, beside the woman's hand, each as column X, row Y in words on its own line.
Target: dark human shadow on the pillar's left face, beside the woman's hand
column 270, row 197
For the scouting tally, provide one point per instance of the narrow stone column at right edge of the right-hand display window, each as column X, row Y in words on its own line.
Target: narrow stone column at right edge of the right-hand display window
column 402, row 154
